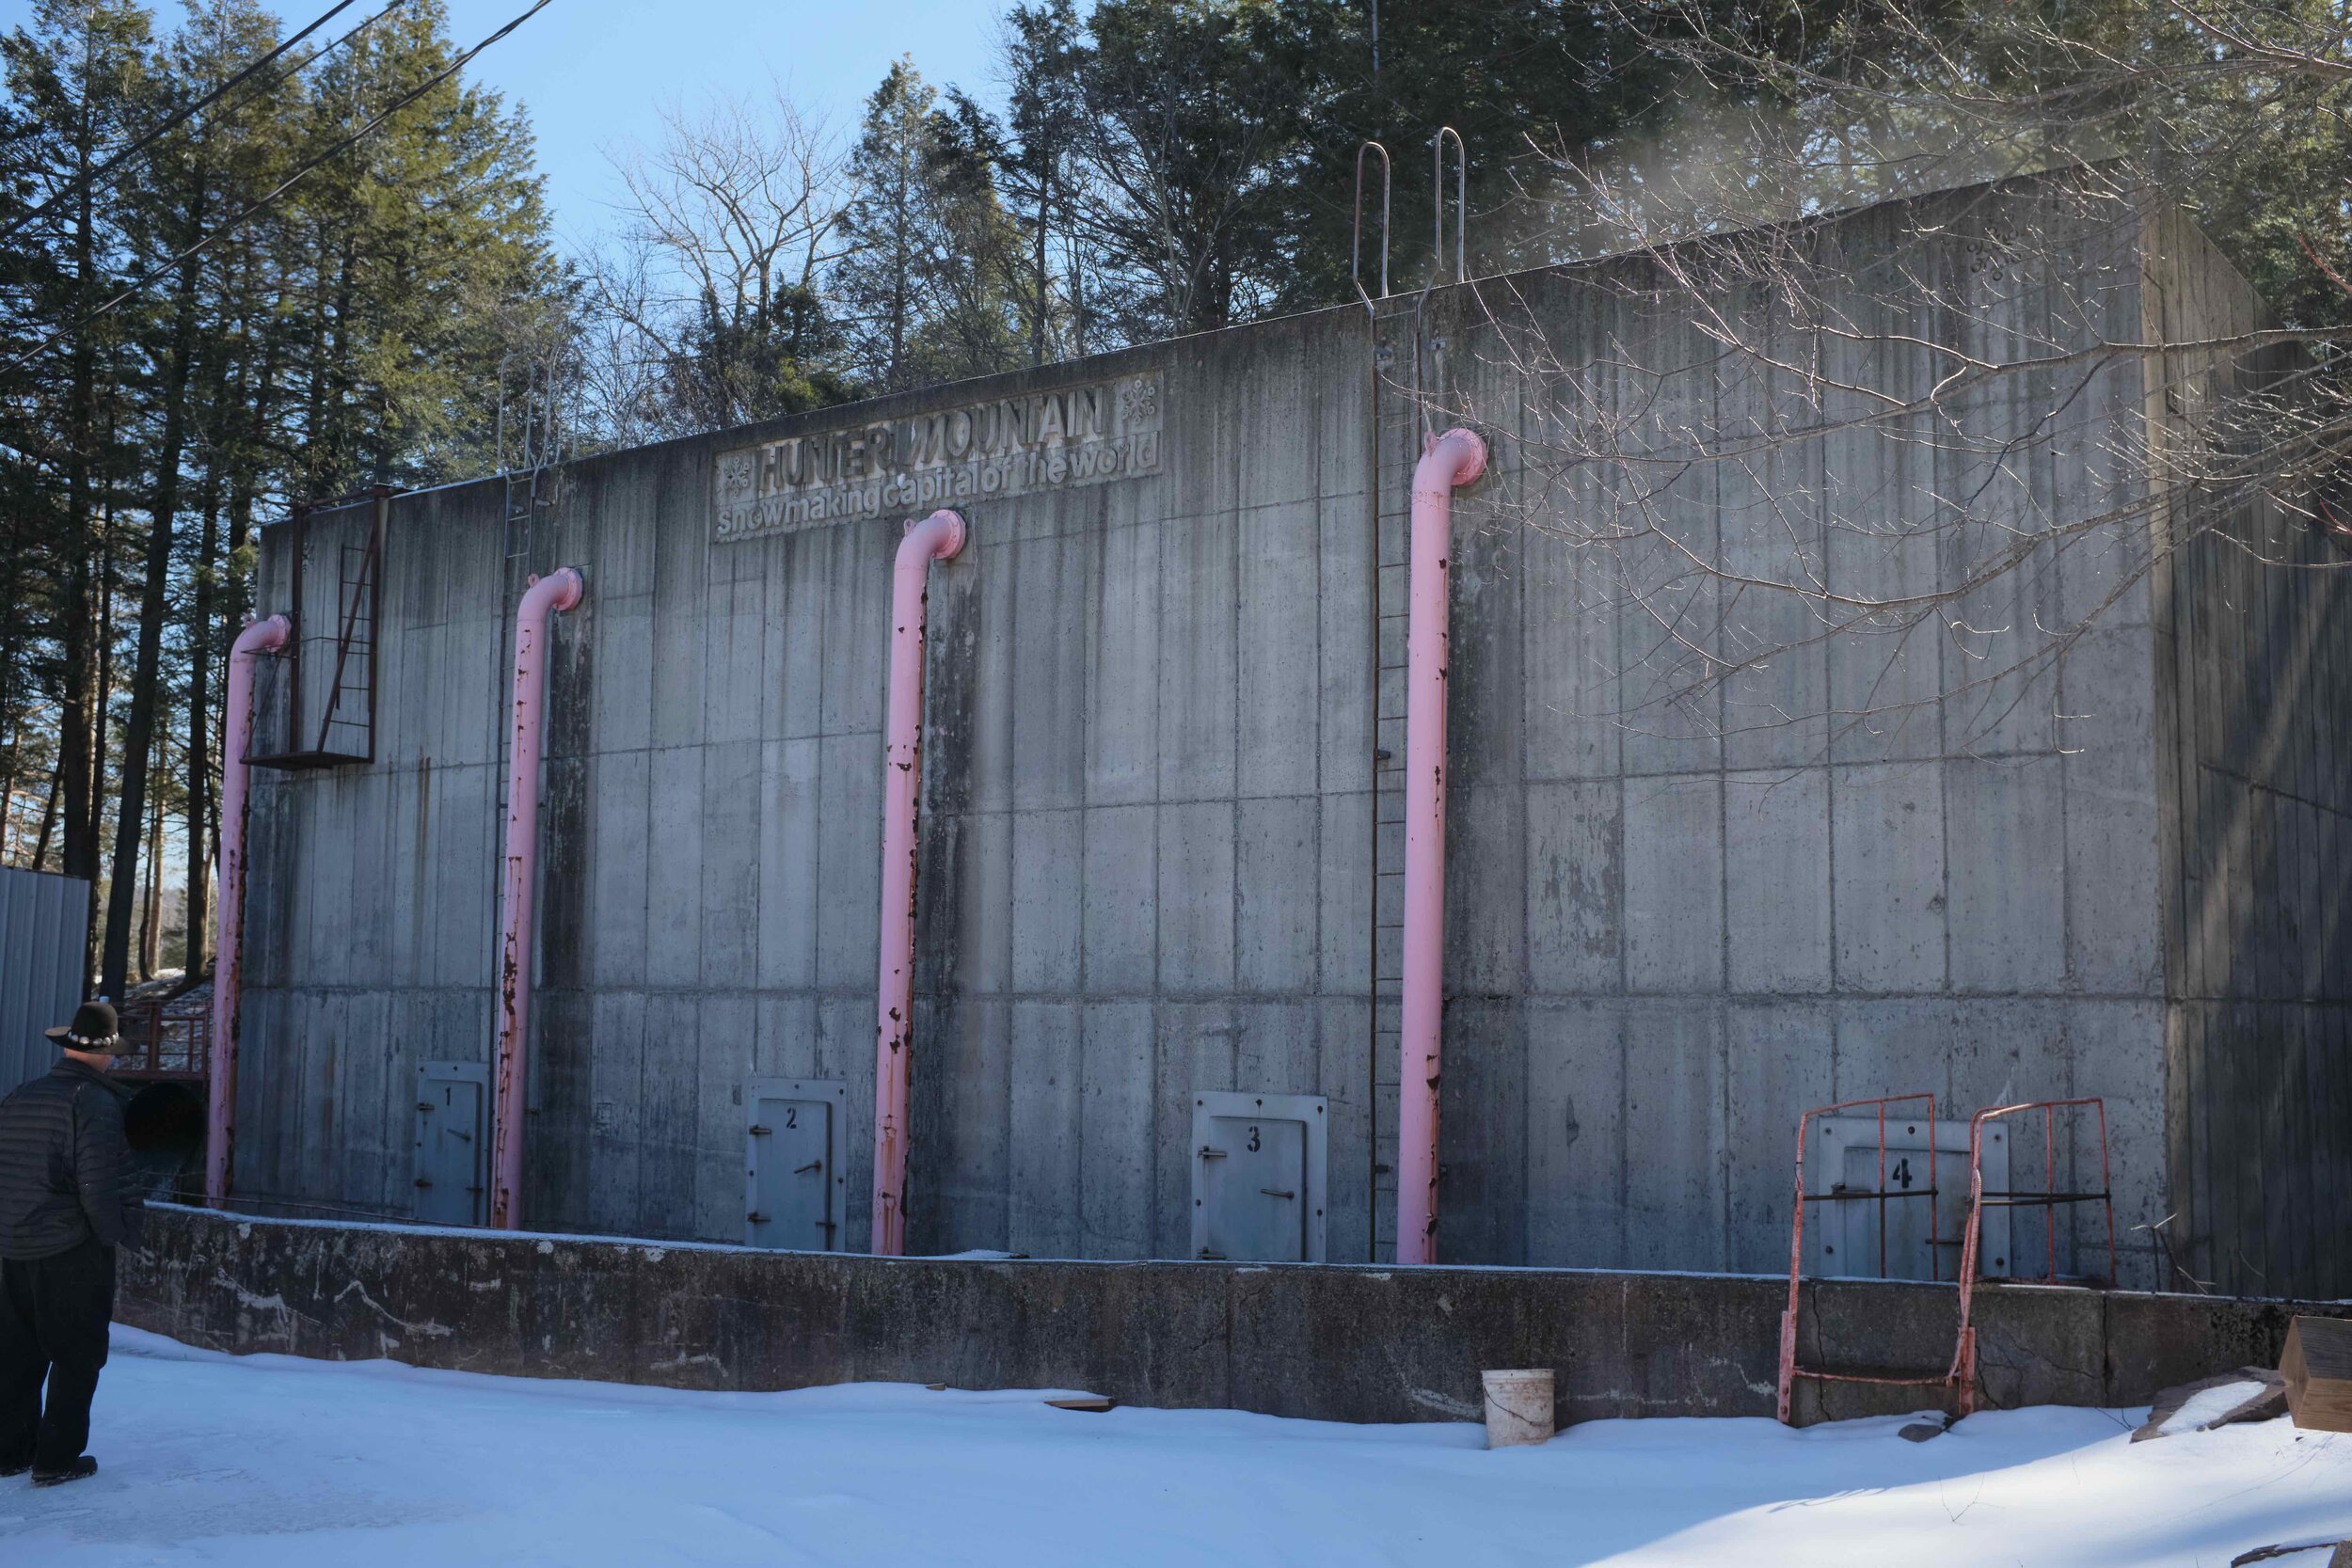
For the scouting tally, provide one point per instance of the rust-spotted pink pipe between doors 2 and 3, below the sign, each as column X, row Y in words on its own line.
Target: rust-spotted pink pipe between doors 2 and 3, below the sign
column 935, row 540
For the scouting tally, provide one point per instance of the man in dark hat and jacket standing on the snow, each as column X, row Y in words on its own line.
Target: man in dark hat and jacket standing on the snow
column 62, row 1217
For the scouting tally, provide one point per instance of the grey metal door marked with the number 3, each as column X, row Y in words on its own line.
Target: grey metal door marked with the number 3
column 1259, row 1177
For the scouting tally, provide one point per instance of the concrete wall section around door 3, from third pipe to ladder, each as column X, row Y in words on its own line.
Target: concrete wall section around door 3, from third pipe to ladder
column 1147, row 815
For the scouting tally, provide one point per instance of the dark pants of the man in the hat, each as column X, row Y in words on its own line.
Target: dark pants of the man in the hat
column 53, row 1327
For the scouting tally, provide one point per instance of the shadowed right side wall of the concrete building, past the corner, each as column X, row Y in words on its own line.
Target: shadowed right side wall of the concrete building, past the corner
column 2254, row 702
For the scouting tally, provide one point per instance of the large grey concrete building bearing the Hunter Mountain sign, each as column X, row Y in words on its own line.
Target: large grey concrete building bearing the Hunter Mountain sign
column 1718, row 852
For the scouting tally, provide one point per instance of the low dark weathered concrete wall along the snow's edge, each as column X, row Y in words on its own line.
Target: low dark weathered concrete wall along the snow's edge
column 1330, row 1343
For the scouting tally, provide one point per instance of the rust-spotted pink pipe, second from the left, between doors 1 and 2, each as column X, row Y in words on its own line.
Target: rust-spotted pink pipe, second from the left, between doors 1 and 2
column 516, row 897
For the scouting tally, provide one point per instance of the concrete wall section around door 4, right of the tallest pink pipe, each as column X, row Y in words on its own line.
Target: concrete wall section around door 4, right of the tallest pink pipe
column 1711, row 866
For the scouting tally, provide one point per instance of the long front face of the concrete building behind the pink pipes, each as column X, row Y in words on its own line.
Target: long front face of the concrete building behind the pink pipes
column 1161, row 852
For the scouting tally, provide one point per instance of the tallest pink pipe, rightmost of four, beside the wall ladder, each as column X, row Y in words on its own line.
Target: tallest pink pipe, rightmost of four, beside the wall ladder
column 1448, row 462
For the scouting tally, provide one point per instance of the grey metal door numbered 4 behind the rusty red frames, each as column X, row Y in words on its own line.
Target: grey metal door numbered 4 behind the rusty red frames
column 1904, row 1238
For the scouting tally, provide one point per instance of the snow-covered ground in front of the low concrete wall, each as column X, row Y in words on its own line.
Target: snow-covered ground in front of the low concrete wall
column 276, row 1461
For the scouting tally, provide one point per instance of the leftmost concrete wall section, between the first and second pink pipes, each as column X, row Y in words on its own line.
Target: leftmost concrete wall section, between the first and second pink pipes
column 370, row 918
